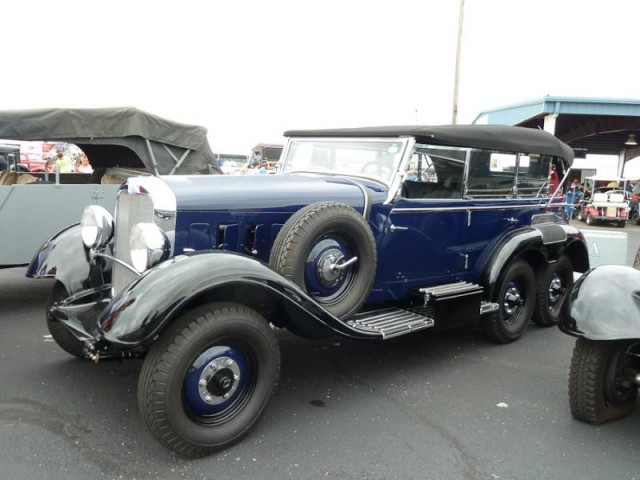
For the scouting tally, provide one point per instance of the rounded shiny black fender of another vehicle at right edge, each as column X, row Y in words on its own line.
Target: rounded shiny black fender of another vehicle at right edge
column 604, row 305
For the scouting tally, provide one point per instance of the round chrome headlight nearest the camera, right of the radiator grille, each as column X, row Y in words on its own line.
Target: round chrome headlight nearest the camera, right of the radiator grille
column 149, row 246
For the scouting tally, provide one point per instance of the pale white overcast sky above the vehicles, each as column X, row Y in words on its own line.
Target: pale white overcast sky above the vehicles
column 248, row 71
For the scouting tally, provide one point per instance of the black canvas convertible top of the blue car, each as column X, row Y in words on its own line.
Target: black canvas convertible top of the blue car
column 496, row 137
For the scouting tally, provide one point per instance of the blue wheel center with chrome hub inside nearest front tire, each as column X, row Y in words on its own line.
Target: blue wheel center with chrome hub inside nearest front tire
column 215, row 380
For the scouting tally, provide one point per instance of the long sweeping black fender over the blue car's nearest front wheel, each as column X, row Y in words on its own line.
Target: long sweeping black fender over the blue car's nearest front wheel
column 140, row 312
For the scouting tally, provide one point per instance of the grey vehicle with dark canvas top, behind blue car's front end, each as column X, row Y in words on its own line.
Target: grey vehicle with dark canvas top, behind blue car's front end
column 127, row 138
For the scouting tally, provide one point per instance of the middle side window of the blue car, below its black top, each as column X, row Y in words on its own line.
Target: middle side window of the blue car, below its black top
column 491, row 174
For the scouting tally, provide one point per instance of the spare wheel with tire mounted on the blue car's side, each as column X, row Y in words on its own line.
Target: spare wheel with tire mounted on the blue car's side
column 317, row 238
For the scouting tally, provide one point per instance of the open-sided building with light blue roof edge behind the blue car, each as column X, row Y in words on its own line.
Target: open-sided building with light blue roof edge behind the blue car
column 600, row 126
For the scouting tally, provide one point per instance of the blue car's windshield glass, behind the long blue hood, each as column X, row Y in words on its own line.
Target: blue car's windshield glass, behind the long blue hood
column 377, row 159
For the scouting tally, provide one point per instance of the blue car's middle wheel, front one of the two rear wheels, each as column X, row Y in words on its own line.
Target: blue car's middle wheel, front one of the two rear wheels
column 516, row 297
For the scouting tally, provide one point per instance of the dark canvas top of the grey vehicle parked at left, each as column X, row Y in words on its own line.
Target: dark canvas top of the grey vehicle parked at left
column 125, row 137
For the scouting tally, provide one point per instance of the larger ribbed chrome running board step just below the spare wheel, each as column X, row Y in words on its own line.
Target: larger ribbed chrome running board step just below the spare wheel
column 390, row 322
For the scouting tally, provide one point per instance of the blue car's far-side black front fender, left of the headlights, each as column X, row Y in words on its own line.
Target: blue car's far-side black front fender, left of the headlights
column 65, row 258
